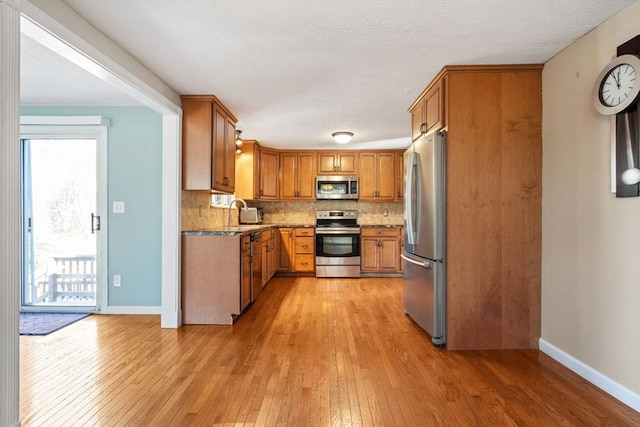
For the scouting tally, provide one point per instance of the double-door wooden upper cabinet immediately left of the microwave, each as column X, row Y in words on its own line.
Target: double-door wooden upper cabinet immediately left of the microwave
column 297, row 175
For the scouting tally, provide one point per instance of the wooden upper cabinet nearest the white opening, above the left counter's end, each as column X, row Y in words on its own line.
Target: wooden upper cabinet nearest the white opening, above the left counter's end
column 208, row 144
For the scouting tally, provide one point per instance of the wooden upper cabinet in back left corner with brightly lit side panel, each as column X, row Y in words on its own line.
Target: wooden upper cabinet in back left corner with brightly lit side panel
column 256, row 172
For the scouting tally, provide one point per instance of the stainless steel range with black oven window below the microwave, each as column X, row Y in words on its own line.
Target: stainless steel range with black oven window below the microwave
column 337, row 244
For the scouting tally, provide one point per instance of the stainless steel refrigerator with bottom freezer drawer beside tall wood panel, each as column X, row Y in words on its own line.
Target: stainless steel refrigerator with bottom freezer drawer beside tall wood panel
column 424, row 234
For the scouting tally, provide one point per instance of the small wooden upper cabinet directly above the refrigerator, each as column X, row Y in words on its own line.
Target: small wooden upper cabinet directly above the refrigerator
column 427, row 113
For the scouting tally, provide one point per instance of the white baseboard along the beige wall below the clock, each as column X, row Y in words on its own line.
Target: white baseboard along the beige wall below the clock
column 600, row 380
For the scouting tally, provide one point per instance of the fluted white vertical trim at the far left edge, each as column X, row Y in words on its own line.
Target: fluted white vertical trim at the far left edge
column 10, row 215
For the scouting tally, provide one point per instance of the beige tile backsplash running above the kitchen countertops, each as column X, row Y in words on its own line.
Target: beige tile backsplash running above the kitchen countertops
column 197, row 212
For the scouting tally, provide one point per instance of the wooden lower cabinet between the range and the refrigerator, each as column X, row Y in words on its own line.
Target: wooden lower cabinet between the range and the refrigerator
column 380, row 250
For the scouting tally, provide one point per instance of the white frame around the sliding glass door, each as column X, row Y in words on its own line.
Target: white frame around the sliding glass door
column 90, row 127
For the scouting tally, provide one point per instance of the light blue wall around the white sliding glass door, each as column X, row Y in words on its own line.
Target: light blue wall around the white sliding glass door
column 135, row 177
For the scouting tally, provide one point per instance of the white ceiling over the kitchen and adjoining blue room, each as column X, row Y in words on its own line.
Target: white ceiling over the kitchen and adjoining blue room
column 294, row 71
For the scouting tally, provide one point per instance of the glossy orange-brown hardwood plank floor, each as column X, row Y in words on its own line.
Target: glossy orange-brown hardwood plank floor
column 308, row 353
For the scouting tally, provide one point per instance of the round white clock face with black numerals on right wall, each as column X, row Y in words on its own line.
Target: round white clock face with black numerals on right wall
column 617, row 85
